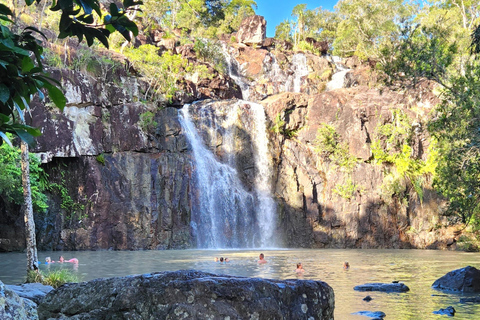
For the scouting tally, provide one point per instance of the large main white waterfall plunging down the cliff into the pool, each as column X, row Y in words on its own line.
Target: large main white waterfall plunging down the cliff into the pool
column 225, row 214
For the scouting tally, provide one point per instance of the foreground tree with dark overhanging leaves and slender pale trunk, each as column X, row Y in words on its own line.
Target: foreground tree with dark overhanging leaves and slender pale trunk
column 23, row 75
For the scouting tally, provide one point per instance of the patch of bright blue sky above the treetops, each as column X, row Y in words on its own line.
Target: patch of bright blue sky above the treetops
column 275, row 11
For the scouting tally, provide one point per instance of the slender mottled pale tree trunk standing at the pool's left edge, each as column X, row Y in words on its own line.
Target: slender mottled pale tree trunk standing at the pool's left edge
column 32, row 258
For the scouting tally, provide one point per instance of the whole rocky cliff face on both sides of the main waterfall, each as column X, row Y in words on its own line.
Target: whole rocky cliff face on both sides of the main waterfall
column 130, row 180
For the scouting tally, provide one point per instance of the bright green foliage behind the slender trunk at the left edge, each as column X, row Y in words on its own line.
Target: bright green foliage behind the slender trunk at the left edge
column 11, row 189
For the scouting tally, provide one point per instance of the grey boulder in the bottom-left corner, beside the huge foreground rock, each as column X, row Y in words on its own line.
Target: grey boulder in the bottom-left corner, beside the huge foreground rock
column 13, row 307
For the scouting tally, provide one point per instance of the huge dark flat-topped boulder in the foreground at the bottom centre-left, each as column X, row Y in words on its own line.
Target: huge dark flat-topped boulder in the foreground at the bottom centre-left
column 189, row 295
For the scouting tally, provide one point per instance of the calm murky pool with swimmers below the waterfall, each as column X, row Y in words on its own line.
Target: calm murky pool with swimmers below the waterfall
column 418, row 269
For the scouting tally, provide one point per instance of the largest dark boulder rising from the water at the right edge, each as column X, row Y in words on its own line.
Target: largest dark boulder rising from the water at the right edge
column 466, row 280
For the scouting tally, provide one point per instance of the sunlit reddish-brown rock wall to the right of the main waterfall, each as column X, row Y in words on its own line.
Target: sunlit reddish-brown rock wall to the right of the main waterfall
column 311, row 189
